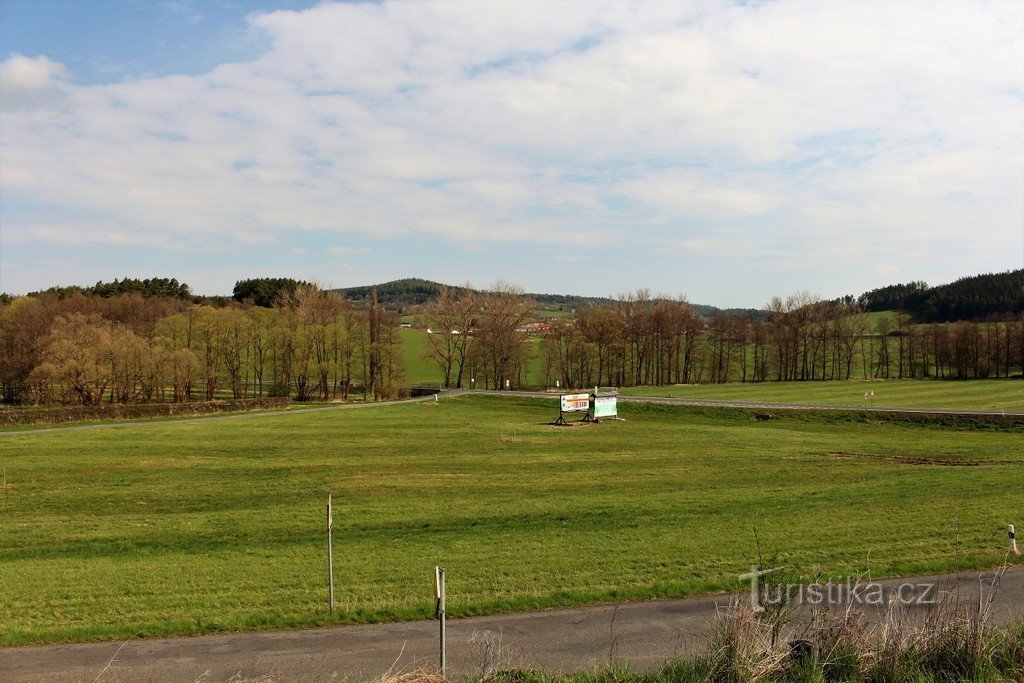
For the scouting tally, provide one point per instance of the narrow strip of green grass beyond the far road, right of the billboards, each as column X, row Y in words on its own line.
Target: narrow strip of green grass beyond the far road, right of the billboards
column 970, row 395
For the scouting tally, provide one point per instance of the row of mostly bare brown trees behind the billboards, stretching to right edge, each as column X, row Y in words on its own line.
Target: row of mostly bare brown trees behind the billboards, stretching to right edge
column 641, row 340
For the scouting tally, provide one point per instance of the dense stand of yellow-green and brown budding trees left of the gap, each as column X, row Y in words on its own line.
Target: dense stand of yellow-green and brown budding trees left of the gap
column 82, row 350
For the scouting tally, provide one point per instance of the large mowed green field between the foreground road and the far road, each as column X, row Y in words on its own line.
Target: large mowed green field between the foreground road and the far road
column 187, row 529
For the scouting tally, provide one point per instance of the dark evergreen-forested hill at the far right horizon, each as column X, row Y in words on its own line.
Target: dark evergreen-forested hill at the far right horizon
column 967, row 298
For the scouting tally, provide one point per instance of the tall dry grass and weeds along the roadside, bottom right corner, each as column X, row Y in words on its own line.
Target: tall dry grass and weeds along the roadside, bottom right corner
column 955, row 642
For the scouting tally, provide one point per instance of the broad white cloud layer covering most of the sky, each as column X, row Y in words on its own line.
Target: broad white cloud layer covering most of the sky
column 820, row 124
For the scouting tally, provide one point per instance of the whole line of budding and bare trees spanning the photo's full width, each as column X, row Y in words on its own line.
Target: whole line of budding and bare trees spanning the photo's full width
column 314, row 345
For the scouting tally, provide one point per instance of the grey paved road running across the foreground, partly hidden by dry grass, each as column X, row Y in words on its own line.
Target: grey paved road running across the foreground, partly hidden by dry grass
column 643, row 634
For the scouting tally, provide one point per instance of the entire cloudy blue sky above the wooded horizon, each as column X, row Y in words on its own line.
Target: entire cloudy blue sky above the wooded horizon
column 727, row 152
